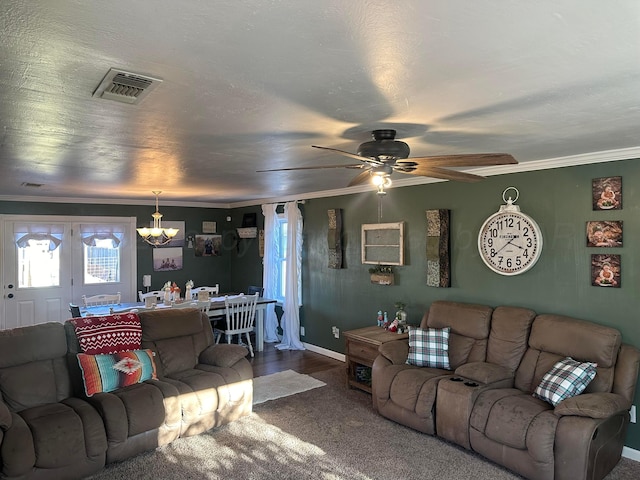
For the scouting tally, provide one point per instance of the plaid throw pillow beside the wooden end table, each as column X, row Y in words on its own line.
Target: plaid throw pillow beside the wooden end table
column 429, row 347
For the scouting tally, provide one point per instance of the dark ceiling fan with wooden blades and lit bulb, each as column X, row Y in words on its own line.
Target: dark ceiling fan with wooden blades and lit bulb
column 384, row 155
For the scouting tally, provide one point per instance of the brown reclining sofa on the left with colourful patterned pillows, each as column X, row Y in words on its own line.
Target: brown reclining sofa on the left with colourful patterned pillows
column 49, row 428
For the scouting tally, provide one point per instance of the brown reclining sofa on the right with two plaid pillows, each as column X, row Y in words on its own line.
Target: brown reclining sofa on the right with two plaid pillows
column 485, row 403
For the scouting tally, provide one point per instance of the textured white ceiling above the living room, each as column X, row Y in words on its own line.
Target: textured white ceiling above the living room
column 251, row 85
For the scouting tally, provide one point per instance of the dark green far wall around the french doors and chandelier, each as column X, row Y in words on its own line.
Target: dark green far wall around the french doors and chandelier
column 202, row 270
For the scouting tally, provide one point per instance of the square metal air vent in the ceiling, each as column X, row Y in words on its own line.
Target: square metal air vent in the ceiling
column 125, row 87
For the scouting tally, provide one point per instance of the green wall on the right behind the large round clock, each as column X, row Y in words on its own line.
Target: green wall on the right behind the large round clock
column 558, row 199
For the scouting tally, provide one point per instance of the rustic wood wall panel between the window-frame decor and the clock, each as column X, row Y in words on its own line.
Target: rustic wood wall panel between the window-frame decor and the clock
column 438, row 256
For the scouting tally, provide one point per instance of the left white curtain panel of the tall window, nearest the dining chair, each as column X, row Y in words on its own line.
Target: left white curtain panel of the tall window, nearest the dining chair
column 269, row 272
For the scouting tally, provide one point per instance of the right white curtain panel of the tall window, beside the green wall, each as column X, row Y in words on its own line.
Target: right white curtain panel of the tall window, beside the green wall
column 293, row 287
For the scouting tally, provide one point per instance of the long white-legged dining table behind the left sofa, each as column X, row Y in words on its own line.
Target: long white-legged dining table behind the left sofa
column 216, row 309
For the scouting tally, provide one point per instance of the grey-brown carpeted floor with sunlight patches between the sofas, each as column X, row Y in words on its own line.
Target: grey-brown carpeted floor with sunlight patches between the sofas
column 328, row 433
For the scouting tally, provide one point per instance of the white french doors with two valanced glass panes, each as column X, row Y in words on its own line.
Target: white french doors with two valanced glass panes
column 51, row 261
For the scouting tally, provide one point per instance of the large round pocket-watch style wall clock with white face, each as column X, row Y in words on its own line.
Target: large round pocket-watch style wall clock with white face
column 510, row 242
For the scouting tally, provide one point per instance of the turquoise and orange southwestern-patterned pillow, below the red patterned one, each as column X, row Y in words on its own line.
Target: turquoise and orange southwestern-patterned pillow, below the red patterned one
column 106, row 373
